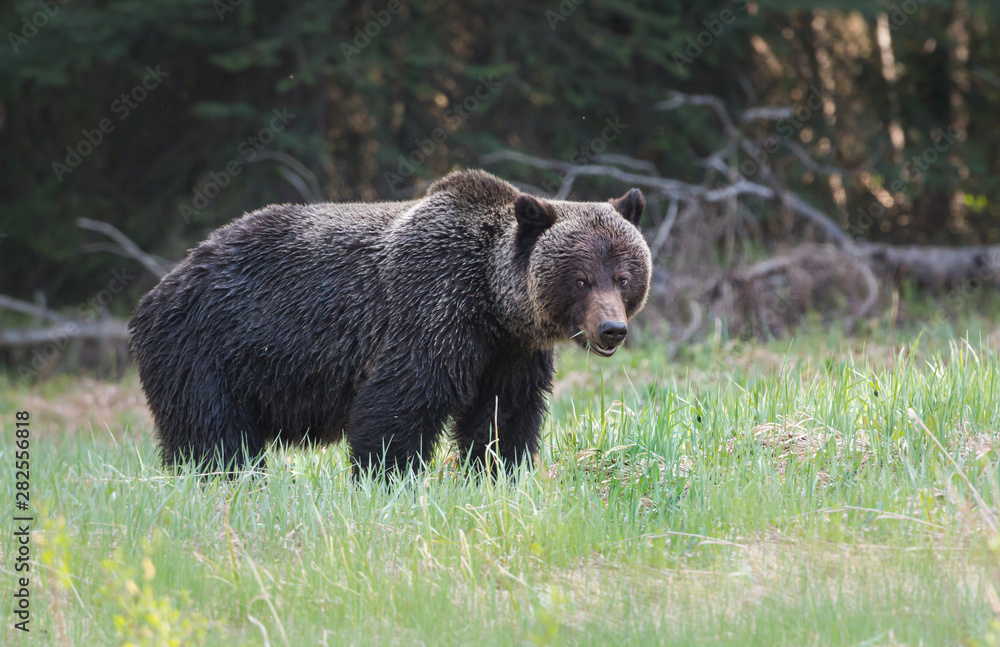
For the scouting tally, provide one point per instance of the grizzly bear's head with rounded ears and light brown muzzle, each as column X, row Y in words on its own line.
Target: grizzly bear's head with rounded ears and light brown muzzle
column 588, row 266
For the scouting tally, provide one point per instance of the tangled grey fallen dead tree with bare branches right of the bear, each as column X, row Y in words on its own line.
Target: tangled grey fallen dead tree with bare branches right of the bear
column 767, row 295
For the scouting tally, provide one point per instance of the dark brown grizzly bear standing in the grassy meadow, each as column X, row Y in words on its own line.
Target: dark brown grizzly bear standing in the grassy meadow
column 381, row 322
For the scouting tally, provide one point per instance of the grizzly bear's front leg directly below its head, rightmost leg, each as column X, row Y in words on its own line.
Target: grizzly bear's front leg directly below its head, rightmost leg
column 504, row 422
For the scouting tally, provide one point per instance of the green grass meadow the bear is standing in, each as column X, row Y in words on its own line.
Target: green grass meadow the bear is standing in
column 729, row 493
